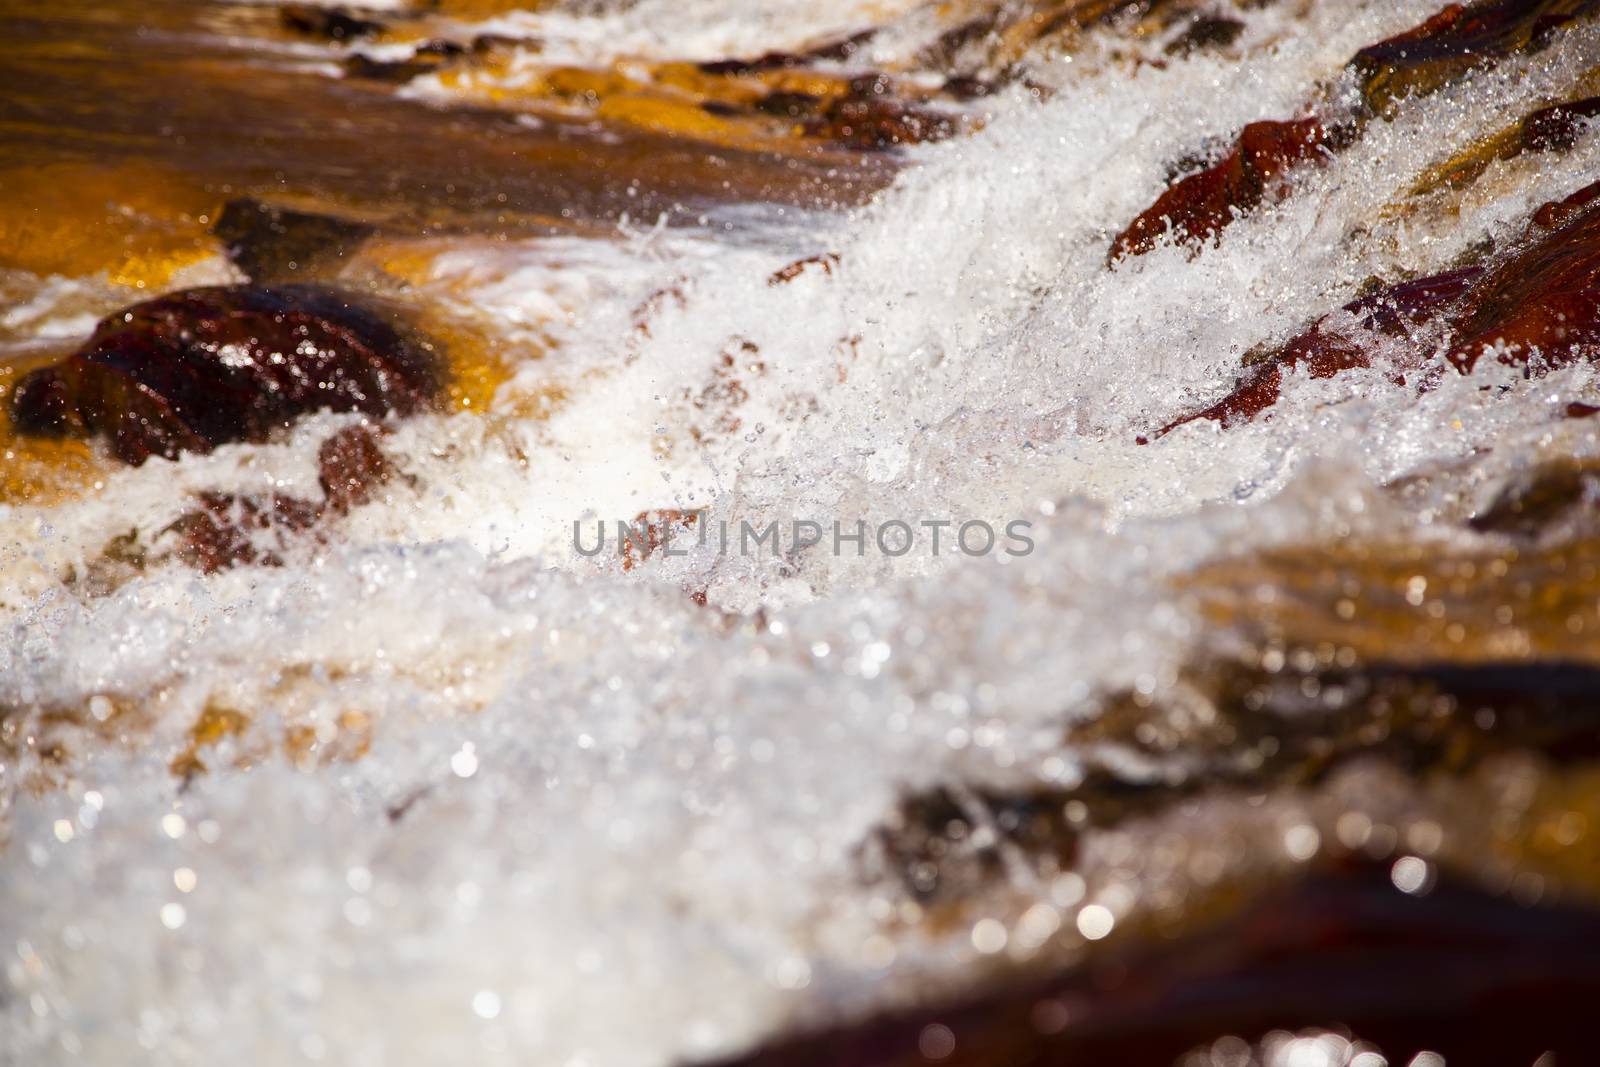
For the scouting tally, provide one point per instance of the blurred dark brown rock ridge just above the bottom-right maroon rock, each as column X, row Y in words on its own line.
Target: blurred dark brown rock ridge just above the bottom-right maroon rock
column 1233, row 729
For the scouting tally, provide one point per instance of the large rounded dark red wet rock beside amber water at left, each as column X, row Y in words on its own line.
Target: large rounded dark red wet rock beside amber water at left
column 201, row 369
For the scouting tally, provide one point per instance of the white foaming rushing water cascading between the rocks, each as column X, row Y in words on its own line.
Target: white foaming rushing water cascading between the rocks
column 471, row 794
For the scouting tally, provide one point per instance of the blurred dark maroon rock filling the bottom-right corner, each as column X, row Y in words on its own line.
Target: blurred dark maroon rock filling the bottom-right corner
column 1340, row 949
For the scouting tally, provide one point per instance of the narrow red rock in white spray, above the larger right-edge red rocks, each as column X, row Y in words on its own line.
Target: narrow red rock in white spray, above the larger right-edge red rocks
column 1202, row 206
